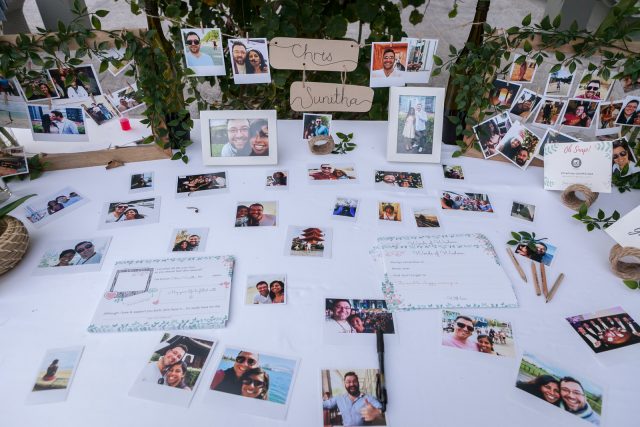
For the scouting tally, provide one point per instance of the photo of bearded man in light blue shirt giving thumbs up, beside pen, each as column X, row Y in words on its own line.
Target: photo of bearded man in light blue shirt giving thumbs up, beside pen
column 349, row 398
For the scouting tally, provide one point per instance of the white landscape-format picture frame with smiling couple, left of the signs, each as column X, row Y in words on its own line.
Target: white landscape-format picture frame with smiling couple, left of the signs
column 238, row 137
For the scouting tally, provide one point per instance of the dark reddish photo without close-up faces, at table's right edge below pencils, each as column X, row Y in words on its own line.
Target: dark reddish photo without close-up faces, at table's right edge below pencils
column 606, row 330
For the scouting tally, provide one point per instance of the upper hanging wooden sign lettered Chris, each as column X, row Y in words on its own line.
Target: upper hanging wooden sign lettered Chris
column 287, row 53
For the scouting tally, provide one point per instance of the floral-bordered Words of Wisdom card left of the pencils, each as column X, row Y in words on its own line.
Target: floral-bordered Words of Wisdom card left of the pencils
column 442, row 271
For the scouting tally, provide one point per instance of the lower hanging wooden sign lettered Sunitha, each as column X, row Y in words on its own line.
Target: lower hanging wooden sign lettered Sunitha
column 330, row 97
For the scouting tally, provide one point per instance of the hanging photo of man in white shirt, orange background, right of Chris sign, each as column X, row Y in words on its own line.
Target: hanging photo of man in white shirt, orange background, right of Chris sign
column 388, row 64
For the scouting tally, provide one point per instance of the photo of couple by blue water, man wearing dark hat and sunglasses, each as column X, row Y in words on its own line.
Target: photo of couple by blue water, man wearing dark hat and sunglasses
column 254, row 382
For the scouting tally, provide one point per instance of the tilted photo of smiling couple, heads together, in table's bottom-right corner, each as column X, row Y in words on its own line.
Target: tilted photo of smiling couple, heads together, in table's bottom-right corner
column 570, row 393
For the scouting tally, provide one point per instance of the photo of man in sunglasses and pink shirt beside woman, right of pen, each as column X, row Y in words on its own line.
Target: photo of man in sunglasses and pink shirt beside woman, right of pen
column 475, row 333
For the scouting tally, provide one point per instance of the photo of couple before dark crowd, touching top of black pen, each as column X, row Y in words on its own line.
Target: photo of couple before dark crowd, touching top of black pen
column 357, row 316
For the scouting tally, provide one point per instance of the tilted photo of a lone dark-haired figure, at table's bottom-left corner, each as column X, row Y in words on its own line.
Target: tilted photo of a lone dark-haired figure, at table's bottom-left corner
column 55, row 375
